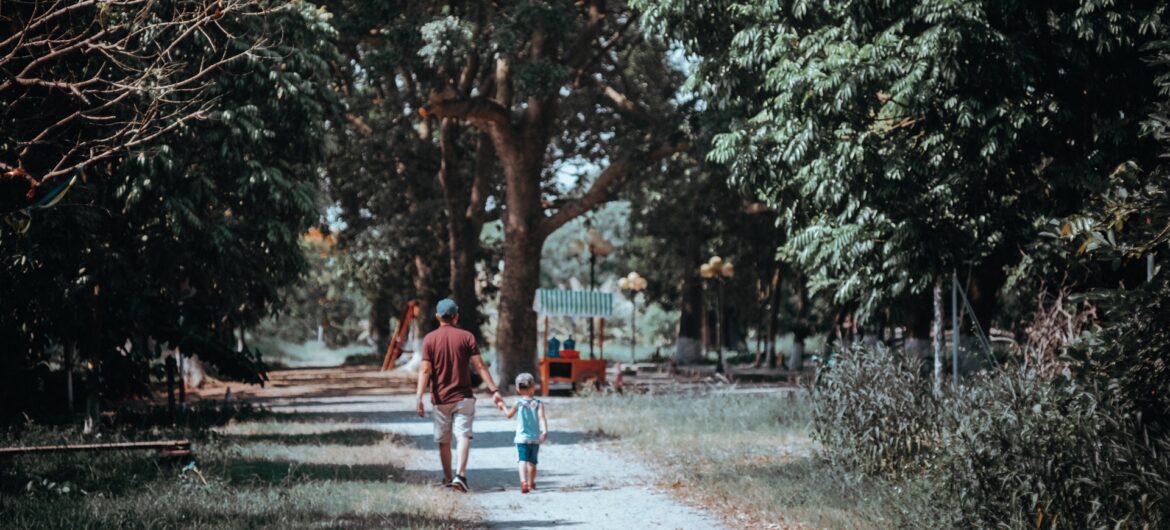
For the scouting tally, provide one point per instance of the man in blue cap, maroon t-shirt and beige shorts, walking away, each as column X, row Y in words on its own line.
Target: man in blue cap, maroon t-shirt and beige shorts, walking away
column 448, row 356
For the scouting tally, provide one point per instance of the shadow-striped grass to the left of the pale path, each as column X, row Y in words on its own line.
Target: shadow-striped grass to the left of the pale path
column 259, row 474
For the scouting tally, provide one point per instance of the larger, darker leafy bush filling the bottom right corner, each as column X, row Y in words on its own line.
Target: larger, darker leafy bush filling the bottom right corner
column 1021, row 450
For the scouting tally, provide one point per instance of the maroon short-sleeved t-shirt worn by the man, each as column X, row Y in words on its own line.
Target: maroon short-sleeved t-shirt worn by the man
column 450, row 352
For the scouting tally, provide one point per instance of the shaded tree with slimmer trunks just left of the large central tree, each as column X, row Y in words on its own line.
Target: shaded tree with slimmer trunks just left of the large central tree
column 451, row 169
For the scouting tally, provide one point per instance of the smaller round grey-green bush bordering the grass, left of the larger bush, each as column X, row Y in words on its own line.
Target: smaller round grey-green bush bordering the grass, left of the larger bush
column 875, row 412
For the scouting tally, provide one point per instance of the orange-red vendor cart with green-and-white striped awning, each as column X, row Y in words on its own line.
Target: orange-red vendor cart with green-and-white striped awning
column 574, row 305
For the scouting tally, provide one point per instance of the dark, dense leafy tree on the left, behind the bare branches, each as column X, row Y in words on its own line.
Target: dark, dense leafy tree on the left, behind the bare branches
column 187, row 239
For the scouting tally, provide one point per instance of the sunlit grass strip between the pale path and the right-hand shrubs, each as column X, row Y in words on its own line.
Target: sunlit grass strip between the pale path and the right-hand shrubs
column 748, row 457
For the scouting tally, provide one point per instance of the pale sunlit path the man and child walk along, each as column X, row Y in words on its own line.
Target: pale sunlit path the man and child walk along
column 580, row 486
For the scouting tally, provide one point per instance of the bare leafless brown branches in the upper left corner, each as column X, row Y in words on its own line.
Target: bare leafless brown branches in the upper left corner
column 87, row 81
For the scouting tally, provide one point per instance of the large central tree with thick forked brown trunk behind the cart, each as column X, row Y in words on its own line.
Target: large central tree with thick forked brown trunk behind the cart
column 553, row 85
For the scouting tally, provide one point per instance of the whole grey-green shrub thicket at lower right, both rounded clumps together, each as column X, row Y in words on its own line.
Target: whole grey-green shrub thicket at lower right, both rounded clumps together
column 1008, row 450
